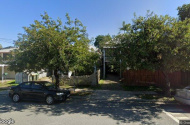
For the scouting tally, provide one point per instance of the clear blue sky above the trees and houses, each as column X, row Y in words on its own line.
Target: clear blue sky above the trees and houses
column 101, row 17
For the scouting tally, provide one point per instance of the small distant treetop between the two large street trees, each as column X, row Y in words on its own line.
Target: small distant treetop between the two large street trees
column 100, row 40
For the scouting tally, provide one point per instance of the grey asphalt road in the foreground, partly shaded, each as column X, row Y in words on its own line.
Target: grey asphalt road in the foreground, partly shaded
column 84, row 111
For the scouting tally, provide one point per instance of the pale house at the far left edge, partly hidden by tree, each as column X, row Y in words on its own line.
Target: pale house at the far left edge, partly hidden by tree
column 4, row 72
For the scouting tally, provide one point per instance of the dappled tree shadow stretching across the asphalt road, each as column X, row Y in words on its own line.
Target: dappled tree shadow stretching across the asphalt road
column 125, row 112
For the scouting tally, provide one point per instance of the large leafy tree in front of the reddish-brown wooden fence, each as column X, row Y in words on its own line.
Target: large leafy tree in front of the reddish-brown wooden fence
column 157, row 43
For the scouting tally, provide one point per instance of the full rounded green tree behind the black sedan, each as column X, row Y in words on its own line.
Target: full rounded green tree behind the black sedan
column 48, row 44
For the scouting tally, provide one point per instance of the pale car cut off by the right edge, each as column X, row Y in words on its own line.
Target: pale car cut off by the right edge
column 183, row 95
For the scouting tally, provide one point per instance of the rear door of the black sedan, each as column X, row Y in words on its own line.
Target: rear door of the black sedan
column 25, row 90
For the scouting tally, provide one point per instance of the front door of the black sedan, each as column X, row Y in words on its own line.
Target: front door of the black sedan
column 38, row 91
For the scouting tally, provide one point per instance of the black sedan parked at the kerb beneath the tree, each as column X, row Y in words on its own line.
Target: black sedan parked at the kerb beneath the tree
column 38, row 90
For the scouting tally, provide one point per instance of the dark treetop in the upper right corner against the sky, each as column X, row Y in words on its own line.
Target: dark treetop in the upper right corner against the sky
column 184, row 11
